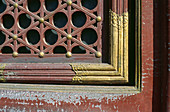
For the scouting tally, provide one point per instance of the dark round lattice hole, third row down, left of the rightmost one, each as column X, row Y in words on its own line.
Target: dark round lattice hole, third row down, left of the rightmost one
column 51, row 36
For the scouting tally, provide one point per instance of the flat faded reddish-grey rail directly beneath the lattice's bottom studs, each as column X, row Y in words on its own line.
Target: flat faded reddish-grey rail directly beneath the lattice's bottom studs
column 45, row 59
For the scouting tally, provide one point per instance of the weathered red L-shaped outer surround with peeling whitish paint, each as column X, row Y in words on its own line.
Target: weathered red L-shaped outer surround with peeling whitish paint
column 58, row 101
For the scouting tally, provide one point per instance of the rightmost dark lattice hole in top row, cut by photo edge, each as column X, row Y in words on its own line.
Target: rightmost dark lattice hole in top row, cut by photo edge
column 89, row 4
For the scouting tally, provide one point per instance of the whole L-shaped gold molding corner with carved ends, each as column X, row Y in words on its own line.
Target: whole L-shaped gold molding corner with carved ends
column 117, row 72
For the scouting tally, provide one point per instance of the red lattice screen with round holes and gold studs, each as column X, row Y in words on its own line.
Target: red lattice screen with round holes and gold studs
column 49, row 28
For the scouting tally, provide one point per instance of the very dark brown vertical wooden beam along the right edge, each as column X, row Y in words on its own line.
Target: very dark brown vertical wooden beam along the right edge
column 160, row 83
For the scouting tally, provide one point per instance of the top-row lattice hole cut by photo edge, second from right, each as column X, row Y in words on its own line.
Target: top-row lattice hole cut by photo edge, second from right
column 51, row 5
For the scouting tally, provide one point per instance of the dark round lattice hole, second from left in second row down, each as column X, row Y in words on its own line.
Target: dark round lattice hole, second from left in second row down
column 24, row 21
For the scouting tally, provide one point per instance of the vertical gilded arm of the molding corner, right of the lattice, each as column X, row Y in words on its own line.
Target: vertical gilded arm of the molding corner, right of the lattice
column 119, row 42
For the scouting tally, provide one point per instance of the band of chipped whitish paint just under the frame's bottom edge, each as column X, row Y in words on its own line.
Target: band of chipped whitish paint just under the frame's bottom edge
column 56, row 98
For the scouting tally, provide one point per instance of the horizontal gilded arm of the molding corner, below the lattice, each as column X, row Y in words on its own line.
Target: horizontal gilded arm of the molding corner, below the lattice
column 85, row 73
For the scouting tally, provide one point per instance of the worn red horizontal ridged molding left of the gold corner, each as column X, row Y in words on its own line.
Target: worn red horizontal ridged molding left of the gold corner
column 41, row 73
